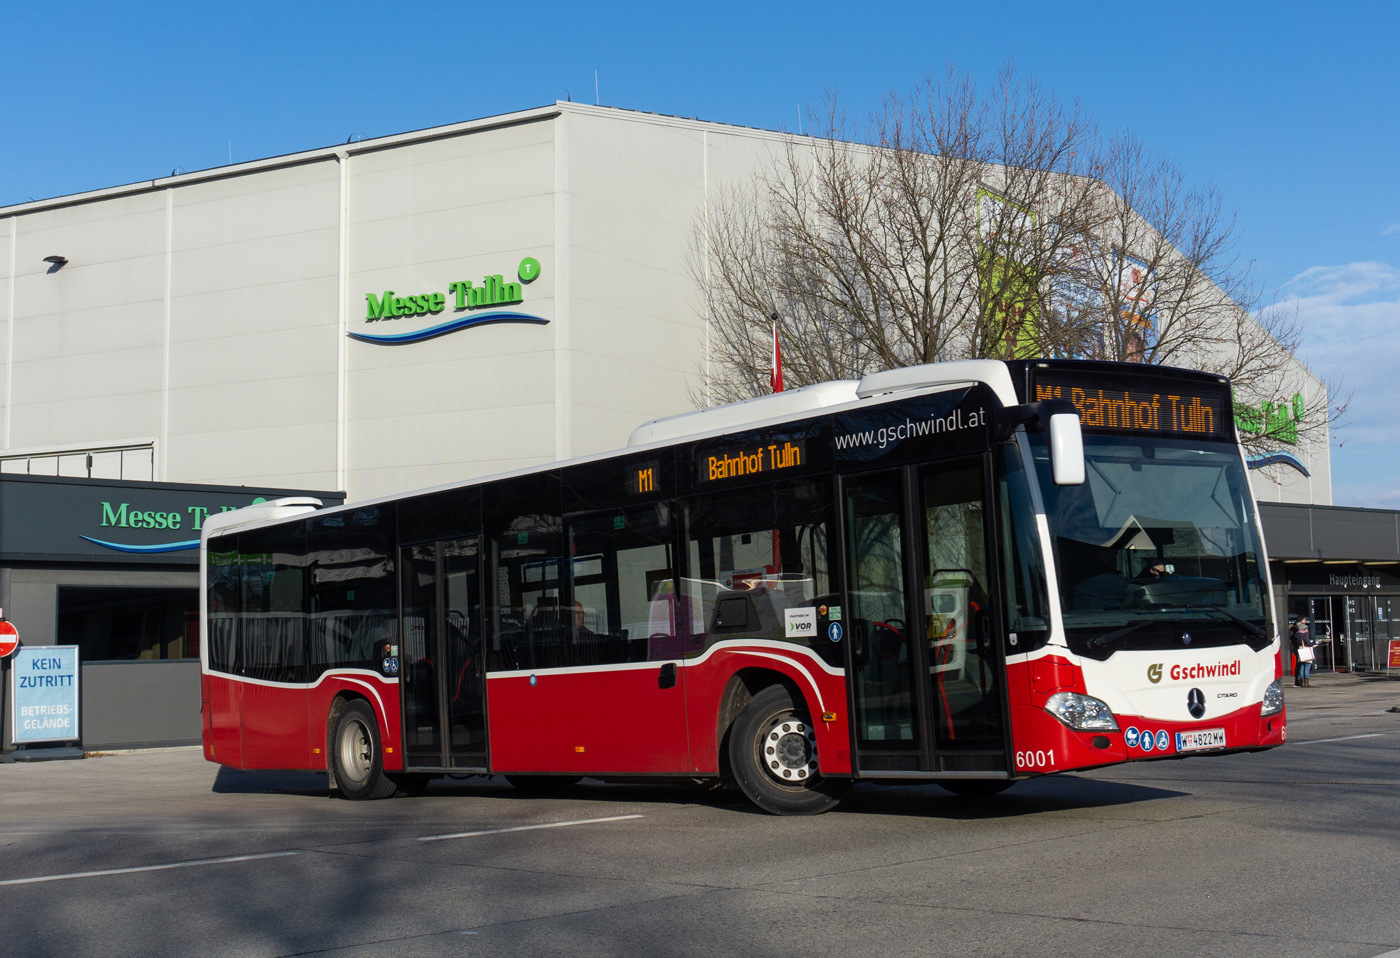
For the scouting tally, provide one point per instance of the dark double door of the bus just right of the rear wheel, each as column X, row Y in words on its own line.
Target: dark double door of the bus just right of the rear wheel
column 442, row 670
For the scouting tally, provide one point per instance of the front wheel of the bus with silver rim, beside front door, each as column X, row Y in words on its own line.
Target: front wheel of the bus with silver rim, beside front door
column 773, row 757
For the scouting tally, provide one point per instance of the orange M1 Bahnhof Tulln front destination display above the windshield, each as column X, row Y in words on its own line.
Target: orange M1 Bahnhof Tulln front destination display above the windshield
column 1175, row 408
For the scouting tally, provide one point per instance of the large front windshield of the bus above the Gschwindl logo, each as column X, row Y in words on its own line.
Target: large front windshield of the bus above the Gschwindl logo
column 1157, row 548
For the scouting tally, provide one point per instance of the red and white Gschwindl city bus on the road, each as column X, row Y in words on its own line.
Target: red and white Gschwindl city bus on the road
column 965, row 574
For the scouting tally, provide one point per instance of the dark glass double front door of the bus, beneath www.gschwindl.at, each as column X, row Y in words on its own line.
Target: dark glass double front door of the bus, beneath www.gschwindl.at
column 926, row 674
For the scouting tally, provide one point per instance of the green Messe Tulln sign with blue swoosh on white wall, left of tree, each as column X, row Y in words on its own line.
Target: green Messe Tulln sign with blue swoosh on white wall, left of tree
column 464, row 296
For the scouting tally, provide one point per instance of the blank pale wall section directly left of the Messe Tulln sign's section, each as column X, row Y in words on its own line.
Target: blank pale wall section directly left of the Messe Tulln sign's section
column 255, row 330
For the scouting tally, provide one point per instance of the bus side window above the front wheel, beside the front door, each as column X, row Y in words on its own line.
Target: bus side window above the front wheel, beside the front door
column 754, row 557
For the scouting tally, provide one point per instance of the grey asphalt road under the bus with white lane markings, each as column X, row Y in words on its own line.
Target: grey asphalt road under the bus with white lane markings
column 1293, row 852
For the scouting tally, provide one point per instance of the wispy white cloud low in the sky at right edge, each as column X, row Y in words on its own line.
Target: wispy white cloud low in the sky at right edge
column 1352, row 335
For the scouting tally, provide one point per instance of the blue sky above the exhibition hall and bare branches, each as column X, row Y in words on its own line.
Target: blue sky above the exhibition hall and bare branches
column 1291, row 110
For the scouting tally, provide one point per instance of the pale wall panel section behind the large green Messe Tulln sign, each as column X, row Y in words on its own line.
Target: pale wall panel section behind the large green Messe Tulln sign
column 471, row 403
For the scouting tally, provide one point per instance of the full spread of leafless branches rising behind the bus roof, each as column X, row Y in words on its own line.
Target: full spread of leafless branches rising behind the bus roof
column 961, row 225
